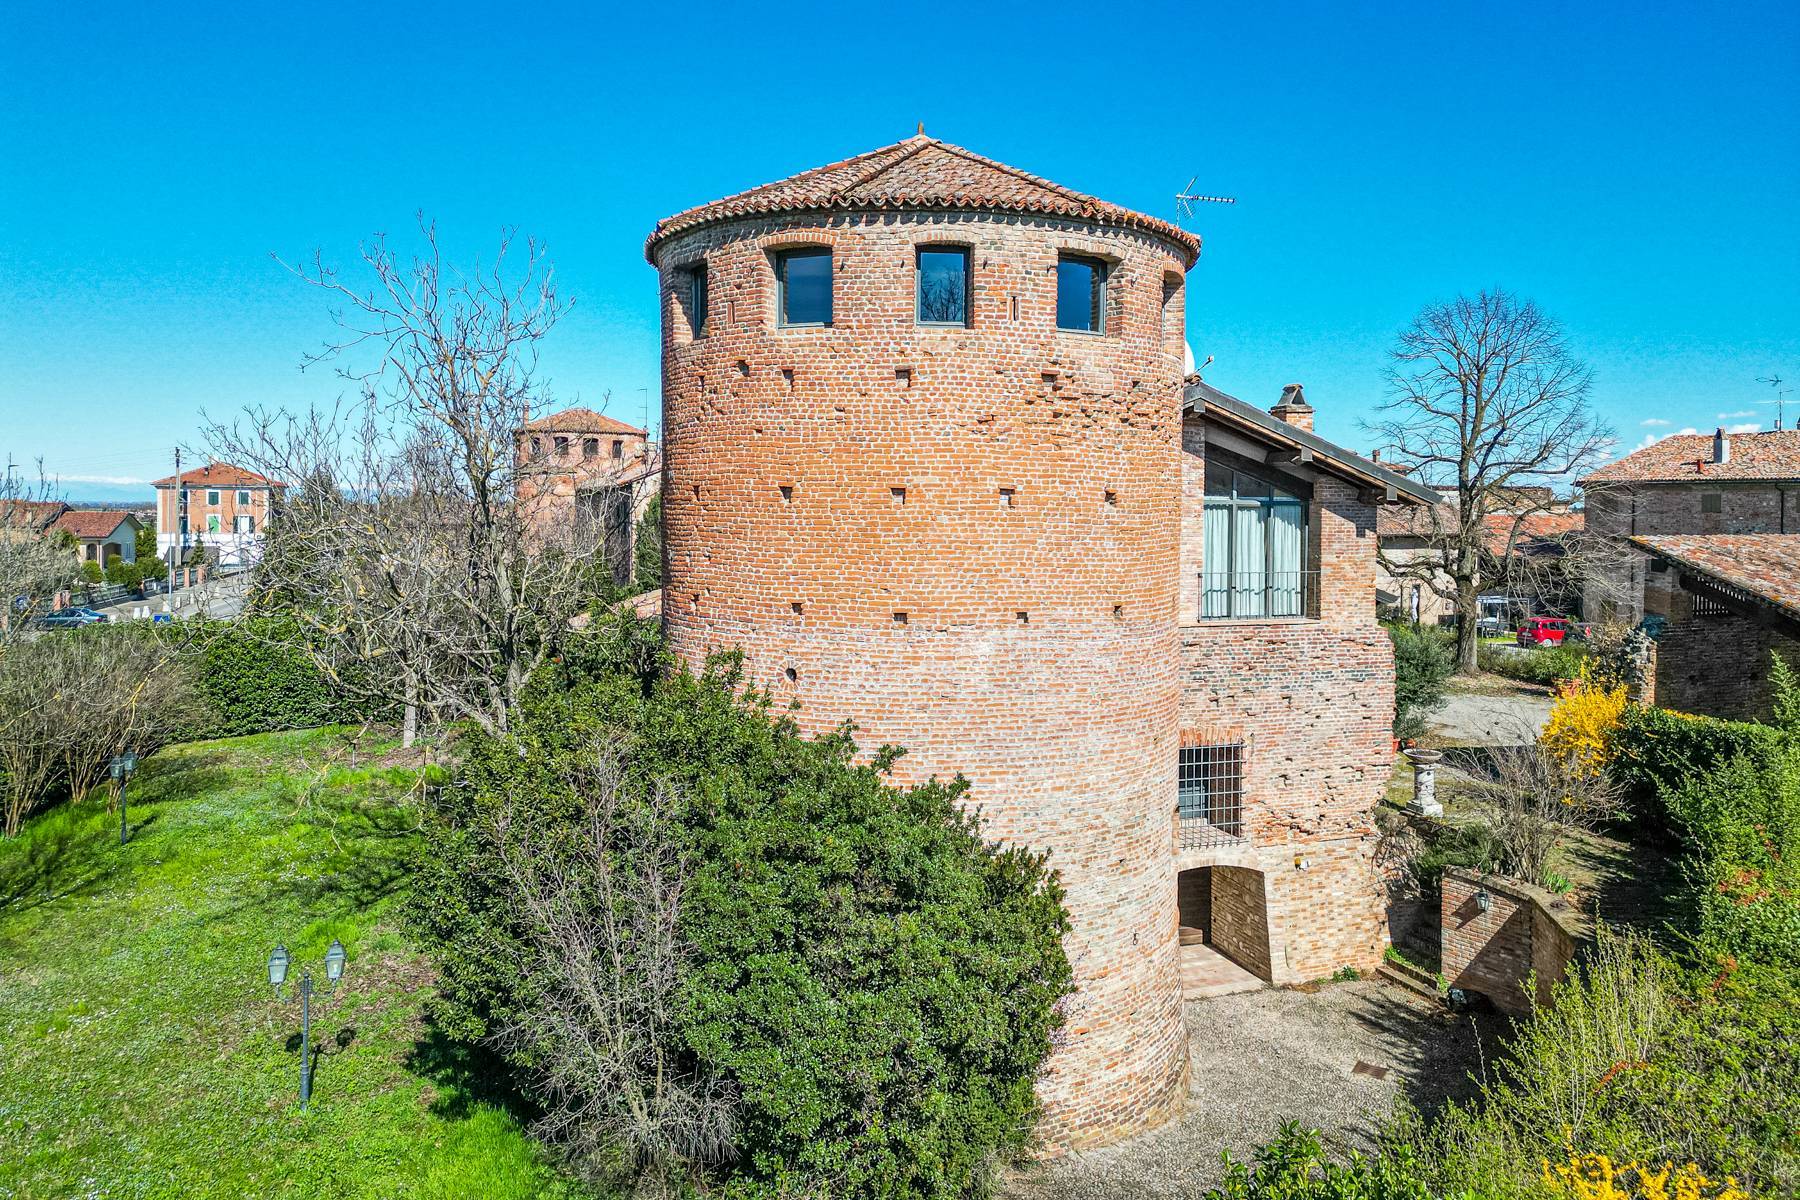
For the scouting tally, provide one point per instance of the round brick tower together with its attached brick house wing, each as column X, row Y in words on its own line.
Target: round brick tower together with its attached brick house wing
column 933, row 465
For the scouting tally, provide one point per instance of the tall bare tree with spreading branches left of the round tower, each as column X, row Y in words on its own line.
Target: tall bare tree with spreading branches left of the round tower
column 422, row 578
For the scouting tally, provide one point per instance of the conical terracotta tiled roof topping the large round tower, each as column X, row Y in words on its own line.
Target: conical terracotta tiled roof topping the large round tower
column 919, row 174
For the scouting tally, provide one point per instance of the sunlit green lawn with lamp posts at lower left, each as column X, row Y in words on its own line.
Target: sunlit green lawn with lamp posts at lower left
column 141, row 1050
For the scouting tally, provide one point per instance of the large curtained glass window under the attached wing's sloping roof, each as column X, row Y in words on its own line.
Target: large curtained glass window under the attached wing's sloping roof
column 1254, row 562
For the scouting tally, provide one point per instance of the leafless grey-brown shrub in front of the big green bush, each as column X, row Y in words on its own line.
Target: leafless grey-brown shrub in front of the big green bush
column 604, row 962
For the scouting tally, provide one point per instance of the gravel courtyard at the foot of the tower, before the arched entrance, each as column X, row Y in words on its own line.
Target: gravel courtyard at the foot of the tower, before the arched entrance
column 1264, row 1057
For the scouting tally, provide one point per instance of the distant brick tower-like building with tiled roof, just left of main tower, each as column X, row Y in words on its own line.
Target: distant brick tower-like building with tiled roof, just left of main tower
column 588, row 474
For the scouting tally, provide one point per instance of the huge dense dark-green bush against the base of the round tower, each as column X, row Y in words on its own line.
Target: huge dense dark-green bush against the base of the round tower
column 867, row 983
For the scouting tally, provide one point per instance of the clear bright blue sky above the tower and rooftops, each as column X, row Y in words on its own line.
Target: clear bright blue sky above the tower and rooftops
column 1635, row 170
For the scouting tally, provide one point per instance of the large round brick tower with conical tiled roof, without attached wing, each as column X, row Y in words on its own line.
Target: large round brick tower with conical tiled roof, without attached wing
column 957, row 526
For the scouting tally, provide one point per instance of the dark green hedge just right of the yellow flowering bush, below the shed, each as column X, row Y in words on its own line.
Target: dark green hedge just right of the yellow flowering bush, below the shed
column 1655, row 751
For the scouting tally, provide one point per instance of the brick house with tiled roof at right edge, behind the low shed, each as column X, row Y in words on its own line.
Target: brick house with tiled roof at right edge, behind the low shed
column 1686, row 485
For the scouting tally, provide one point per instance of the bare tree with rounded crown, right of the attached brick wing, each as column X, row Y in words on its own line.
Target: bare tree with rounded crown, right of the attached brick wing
column 1488, row 406
